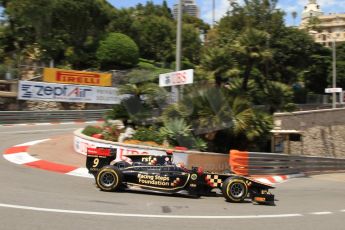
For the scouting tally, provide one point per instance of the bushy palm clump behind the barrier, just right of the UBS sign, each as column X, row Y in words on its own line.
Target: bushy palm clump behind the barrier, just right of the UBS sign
column 222, row 116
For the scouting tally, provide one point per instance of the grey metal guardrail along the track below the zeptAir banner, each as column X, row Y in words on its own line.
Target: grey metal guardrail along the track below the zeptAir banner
column 18, row 117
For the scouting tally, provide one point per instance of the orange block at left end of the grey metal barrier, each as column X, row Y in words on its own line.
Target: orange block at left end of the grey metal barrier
column 238, row 162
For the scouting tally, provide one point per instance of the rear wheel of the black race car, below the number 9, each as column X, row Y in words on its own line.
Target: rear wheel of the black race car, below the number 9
column 109, row 178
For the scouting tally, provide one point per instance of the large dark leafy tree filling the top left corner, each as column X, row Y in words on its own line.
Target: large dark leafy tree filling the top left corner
column 53, row 25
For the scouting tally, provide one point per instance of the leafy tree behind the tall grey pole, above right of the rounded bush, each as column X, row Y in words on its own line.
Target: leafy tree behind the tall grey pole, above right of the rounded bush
column 153, row 28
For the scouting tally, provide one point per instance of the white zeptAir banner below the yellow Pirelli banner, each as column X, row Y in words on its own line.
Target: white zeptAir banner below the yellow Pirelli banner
column 30, row 90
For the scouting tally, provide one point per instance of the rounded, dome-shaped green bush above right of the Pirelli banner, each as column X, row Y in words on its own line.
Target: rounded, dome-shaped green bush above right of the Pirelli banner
column 117, row 51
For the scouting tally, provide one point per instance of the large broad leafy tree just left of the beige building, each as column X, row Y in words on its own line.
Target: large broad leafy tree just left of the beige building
column 271, row 52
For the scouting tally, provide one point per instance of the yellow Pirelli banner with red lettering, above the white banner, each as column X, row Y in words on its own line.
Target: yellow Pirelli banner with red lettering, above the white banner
column 76, row 77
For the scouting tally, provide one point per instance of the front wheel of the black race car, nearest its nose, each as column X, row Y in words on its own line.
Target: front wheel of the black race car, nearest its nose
column 234, row 190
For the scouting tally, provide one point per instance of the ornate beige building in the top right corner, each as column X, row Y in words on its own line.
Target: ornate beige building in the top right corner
column 329, row 27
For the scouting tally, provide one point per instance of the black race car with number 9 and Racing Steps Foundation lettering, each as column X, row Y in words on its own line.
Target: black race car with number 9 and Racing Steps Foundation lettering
column 159, row 173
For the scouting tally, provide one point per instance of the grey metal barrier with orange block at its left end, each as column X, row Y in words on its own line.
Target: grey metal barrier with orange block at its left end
column 253, row 163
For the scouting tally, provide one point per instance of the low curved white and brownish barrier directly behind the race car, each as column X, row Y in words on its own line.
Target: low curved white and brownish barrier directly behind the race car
column 215, row 162
